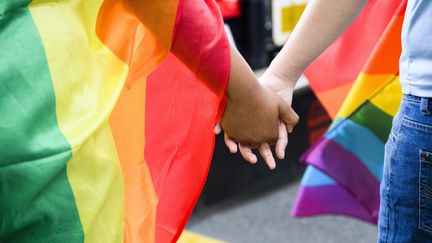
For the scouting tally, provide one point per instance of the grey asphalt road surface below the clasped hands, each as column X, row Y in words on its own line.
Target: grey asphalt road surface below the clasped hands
column 265, row 218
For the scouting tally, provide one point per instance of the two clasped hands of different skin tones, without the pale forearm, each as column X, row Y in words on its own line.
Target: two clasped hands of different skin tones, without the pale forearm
column 258, row 112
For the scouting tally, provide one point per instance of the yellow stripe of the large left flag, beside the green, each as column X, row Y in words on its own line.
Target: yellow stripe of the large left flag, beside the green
column 87, row 79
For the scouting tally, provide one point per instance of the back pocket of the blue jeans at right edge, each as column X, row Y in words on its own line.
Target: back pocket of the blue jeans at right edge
column 425, row 193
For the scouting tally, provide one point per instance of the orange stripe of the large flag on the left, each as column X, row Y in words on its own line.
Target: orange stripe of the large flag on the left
column 139, row 33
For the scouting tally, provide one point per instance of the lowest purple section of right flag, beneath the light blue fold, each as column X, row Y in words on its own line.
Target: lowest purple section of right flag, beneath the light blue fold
column 329, row 199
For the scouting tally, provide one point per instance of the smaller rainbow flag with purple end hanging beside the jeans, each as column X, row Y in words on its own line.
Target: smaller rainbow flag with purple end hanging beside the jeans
column 346, row 164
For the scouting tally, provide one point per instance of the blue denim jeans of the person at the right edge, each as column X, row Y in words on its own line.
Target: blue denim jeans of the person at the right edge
column 406, row 189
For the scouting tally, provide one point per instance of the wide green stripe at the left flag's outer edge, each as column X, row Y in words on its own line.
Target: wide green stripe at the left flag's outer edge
column 36, row 200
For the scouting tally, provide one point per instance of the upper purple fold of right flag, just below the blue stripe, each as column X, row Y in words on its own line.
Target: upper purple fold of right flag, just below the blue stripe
column 347, row 170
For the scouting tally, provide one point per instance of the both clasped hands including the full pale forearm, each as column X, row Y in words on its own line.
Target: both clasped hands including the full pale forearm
column 256, row 125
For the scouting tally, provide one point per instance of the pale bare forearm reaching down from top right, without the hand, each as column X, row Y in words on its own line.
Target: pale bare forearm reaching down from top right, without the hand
column 321, row 23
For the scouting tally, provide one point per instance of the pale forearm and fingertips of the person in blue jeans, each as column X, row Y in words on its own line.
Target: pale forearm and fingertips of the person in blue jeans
column 321, row 23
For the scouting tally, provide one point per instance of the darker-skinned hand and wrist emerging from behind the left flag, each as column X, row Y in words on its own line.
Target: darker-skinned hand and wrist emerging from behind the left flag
column 252, row 113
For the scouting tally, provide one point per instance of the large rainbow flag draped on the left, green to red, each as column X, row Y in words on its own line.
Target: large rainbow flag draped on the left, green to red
column 107, row 111
